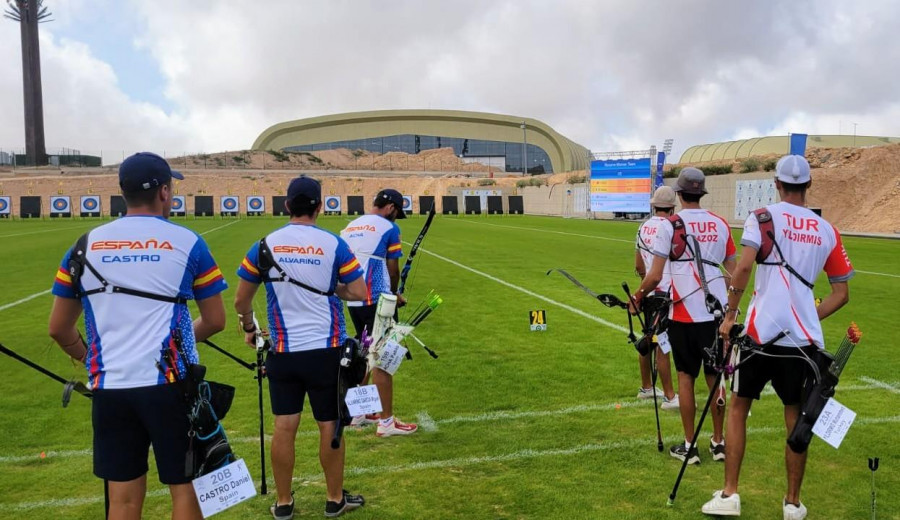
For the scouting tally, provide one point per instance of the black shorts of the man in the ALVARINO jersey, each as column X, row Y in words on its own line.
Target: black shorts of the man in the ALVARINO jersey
column 293, row 375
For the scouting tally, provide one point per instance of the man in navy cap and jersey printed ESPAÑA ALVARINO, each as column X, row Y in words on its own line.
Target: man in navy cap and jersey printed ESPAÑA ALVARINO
column 308, row 272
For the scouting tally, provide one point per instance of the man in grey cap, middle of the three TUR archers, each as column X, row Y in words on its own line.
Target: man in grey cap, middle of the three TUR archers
column 697, row 244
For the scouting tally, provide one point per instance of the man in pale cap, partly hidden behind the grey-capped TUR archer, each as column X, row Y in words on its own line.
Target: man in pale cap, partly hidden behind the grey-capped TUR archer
column 663, row 204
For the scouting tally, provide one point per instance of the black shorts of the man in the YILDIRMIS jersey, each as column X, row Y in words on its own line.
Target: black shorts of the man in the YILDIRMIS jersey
column 787, row 374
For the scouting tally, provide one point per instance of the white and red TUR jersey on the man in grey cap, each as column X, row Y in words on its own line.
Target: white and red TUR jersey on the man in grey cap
column 713, row 236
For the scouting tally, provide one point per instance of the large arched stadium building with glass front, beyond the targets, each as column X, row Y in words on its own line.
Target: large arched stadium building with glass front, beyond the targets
column 493, row 139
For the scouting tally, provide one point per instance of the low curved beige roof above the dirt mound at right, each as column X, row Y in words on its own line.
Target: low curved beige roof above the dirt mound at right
column 775, row 145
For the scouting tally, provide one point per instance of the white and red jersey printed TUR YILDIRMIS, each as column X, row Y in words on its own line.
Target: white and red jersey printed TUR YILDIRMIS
column 780, row 300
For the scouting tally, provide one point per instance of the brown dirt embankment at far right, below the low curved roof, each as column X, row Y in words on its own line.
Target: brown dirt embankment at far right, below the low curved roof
column 858, row 189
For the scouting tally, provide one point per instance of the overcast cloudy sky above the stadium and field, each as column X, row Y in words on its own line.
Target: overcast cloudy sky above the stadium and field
column 211, row 75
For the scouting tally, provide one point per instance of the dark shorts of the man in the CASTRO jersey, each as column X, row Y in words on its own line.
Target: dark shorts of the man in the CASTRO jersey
column 128, row 421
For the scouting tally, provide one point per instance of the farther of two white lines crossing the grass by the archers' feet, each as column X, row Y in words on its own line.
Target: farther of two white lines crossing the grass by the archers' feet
column 429, row 424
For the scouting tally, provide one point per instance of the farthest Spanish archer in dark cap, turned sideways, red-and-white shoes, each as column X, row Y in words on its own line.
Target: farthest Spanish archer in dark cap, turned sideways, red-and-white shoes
column 375, row 239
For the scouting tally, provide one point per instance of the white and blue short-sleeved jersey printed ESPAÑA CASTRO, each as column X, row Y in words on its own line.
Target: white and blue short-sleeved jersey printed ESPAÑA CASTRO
column 128, row 335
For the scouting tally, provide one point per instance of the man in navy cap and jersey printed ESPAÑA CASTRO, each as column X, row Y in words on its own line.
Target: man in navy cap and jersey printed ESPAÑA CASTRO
column 153, row 267
